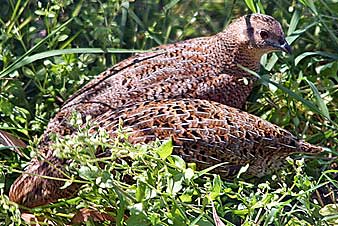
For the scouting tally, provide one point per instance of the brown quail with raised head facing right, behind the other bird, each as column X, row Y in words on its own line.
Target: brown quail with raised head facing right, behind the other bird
column 201, row 68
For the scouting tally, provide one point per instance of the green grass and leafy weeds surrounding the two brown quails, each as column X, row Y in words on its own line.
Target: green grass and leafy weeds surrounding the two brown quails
column 49, row 50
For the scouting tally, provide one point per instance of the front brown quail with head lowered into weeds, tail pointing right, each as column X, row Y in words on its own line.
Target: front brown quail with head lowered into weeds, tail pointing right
column 203, row 132
